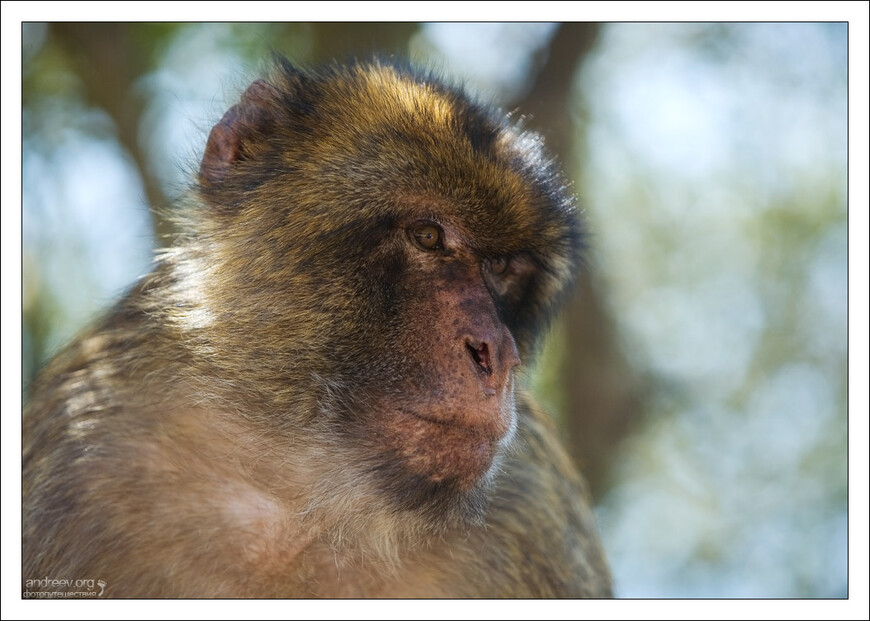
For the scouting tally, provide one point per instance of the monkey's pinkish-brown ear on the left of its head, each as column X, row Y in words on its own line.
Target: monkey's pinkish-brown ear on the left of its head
column 230, row 140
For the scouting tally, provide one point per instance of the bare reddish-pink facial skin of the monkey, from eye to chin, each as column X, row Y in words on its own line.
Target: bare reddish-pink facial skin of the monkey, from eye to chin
column 451, row 385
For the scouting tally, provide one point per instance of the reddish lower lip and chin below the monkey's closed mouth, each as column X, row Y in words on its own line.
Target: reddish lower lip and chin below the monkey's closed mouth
column 441, row 452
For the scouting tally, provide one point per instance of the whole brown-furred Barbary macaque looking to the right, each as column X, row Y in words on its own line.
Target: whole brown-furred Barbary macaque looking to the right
column 314, row 393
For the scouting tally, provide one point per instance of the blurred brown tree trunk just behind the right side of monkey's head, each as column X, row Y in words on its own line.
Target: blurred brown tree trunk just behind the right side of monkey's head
column 603, row 393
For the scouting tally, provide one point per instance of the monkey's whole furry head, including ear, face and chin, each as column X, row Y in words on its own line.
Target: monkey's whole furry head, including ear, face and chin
column 382, row 253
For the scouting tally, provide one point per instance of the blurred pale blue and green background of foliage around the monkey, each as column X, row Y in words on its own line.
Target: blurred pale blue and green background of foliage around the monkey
column 700, row 375
